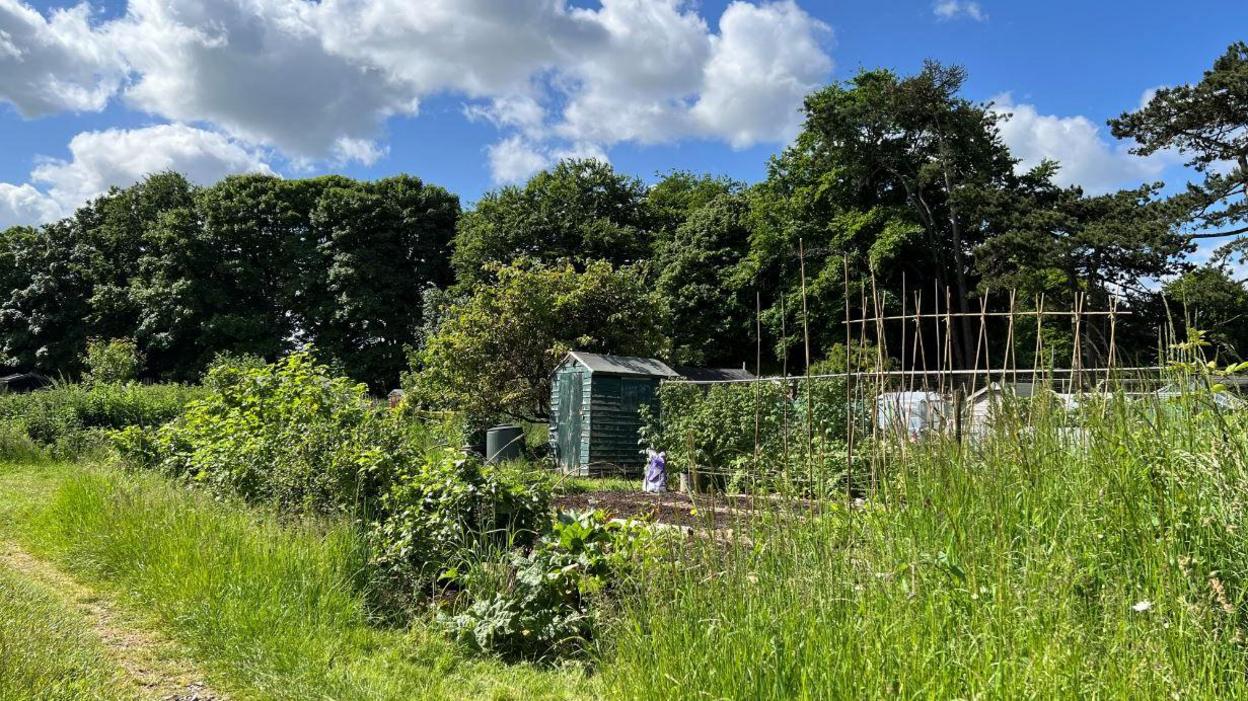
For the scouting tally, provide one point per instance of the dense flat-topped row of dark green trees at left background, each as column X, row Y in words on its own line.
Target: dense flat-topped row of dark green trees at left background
column 251, row 265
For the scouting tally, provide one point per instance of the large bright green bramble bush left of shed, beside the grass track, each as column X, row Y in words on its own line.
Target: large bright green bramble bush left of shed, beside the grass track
column 294, row 436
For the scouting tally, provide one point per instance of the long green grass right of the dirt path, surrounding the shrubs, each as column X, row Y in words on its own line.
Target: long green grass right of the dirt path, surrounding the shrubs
column 1106, row 562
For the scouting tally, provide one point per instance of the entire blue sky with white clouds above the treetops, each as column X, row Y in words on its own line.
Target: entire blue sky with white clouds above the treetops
column 477, row 94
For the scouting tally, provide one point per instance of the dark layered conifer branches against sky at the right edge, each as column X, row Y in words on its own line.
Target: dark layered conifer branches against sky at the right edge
column 1209, row 124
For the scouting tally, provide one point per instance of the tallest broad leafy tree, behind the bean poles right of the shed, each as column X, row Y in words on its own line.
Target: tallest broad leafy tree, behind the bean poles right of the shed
column 887, row 176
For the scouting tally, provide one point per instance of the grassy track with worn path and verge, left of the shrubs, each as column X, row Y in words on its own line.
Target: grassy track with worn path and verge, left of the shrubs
column 157, row 589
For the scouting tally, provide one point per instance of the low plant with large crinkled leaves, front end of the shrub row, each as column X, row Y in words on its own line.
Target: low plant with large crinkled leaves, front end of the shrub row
column 542, row 604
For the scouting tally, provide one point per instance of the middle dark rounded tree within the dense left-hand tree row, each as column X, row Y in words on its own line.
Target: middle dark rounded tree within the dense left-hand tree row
column 227, row 275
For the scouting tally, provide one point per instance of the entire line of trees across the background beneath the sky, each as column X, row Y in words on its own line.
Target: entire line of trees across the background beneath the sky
column 897, row 186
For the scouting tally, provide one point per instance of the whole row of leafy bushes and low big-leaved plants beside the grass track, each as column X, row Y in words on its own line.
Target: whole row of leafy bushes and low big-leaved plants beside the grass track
column 295, row 437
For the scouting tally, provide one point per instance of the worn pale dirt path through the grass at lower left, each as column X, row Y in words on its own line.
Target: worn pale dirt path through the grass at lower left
column 157, row 668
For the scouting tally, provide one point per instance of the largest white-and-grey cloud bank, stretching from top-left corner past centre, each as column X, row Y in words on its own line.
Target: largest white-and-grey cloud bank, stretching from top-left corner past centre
column 319, row 80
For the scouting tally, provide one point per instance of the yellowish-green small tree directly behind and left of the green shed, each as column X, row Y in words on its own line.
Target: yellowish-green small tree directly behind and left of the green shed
column 494, row 354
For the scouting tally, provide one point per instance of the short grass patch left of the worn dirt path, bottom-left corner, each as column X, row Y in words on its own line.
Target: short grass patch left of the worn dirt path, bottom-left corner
column 47, row 652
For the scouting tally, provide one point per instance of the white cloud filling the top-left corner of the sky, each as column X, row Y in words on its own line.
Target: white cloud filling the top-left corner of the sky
column 56, row 64
